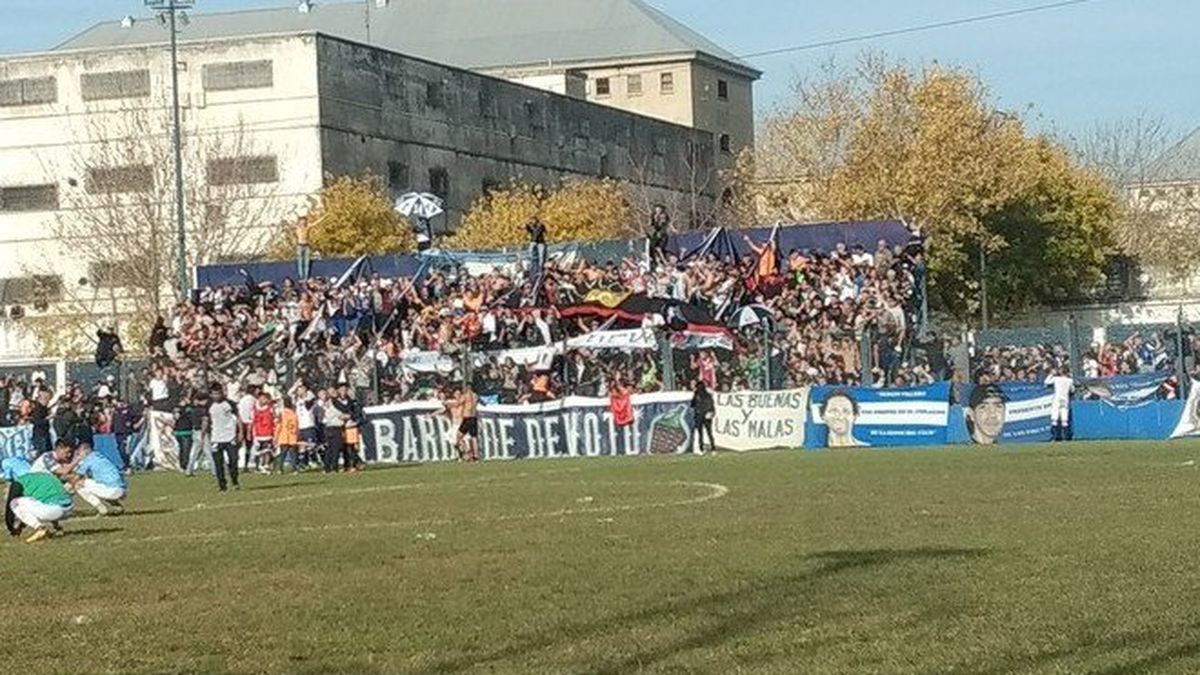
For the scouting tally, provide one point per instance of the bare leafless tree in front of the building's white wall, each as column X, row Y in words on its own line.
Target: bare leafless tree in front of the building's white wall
column 117, row 223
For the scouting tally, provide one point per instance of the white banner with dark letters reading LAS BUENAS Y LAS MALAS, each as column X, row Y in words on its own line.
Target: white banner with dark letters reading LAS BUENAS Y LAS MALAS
column 761, row 421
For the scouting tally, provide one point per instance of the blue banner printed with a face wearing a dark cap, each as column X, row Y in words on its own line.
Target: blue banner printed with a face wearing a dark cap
column 1010, row 413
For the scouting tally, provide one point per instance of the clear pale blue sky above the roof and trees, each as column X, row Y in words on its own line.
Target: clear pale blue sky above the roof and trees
column 1077, row 67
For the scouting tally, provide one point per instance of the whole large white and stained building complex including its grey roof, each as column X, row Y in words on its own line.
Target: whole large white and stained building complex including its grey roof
column 273, row 101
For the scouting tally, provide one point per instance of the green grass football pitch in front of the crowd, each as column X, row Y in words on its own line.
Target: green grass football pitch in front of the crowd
column 1072, row 559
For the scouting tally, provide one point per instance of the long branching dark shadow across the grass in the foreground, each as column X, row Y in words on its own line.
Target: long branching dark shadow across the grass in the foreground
column 729, row 613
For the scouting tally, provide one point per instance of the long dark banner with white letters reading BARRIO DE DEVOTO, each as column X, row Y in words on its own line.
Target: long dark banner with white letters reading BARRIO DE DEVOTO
column 422, row 432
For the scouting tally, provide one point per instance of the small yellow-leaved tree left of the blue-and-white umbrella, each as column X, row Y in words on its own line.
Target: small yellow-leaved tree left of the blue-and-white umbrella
column 352, row 217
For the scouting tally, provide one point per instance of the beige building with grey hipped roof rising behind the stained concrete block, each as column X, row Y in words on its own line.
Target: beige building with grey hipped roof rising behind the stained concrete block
column 620, row 53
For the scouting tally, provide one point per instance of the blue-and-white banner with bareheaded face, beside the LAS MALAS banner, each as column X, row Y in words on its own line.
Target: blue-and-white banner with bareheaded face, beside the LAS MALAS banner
column 867, row 419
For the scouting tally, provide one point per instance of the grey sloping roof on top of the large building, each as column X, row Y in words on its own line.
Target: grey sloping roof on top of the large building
column 470, row 34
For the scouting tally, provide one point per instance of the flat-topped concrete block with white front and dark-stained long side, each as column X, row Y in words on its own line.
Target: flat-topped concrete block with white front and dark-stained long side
column 85, row 145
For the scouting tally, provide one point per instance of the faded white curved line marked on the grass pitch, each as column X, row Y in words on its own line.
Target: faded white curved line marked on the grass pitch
column 712, row 492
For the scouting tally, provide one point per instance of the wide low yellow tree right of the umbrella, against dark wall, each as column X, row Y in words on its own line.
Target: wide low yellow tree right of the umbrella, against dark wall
column 579, row 211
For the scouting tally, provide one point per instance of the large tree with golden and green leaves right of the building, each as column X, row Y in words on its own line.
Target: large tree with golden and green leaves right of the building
column 927, row 146
